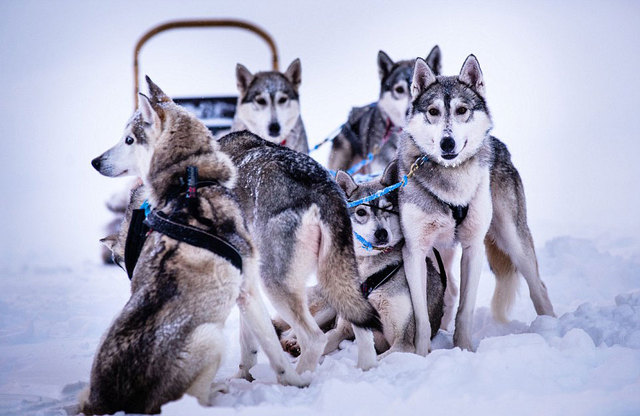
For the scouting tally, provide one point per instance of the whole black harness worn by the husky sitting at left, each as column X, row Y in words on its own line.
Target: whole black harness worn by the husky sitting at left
column 140, row 227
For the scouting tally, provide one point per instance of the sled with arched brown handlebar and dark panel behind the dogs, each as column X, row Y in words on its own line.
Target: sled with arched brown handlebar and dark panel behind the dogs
column 215, row 112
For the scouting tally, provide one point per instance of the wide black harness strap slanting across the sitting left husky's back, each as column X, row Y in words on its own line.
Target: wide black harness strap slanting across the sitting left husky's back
column 194, row 236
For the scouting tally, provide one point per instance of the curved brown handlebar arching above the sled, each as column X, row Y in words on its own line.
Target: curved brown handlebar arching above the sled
column 198, row 23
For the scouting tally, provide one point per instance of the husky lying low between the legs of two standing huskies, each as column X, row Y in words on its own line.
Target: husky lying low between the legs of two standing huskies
column 378, row 222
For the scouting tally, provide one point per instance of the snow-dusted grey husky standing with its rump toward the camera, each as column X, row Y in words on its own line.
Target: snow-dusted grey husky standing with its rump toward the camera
column 300, row 224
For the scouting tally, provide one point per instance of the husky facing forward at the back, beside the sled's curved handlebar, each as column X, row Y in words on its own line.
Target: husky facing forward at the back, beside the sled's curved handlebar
column 269, row 106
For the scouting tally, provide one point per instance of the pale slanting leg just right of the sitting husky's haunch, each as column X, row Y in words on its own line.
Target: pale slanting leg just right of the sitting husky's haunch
column 256, row 319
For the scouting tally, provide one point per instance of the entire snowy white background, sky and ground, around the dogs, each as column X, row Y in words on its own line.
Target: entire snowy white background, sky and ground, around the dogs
column 563, row 89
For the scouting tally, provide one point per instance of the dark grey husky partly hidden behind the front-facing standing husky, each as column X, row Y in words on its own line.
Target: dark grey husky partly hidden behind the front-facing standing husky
column 376, row 128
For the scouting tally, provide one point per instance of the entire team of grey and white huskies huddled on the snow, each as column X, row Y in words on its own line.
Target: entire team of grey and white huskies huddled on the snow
column 226, row 215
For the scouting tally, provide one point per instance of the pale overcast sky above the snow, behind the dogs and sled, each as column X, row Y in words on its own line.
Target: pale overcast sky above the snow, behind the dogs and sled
column 562, row 85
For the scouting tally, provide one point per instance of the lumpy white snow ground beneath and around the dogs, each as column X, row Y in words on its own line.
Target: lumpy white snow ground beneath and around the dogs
column 585, row 362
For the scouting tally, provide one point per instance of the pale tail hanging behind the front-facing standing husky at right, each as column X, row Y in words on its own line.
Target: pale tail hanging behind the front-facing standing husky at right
column 507, row 280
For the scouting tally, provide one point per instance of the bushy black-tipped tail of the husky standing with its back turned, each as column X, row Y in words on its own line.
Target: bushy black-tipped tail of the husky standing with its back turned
column 338, row 272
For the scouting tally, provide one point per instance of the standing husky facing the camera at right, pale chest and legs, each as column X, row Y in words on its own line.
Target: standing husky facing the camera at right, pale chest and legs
column 467, row 192
